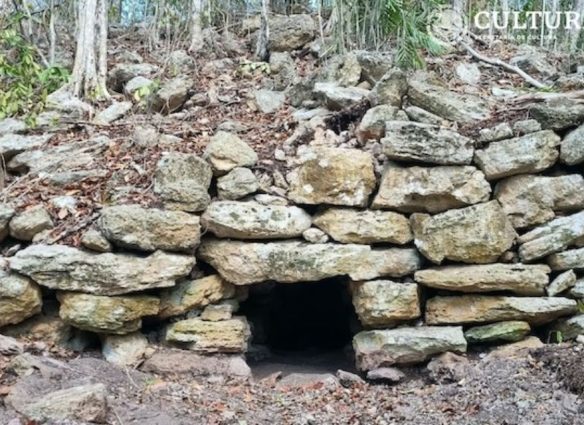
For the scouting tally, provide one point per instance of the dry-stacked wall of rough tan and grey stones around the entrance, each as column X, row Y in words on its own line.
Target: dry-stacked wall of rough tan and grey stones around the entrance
column 447, row 239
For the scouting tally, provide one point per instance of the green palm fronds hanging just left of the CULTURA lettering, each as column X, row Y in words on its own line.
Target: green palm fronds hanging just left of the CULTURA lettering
column 408, row 21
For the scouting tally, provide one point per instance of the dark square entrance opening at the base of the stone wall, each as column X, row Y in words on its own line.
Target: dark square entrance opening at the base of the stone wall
column 301, row 323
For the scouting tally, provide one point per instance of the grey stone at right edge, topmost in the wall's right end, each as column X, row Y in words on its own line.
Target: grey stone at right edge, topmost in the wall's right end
column 558, row 114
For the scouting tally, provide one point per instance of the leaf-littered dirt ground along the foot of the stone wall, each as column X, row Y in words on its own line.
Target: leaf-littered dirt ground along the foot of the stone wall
column 539, row 387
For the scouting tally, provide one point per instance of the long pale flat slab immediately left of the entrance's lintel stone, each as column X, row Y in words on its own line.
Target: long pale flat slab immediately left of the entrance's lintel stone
column 71, row 269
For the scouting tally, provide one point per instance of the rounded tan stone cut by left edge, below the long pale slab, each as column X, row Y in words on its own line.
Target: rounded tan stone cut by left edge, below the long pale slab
column 20, row 298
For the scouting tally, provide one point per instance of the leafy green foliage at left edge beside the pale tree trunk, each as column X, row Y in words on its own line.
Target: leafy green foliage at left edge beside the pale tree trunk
column 25, row 83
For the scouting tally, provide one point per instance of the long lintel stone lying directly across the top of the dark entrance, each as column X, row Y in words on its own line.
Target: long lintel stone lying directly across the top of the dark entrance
column 244, row 263
